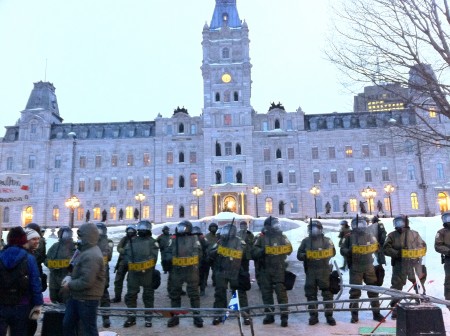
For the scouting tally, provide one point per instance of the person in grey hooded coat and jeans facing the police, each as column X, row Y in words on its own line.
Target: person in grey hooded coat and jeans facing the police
column 86, row 284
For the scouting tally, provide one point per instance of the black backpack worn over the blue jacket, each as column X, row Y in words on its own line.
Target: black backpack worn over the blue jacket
column 14, row 283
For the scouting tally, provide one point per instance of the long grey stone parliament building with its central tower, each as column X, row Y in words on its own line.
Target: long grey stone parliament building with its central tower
column 225, row 151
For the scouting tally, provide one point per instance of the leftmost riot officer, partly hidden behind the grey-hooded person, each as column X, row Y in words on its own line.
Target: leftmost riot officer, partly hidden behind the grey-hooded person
column 57, row 261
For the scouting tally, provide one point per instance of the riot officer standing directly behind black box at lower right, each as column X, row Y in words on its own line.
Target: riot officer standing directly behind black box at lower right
column 406, row 249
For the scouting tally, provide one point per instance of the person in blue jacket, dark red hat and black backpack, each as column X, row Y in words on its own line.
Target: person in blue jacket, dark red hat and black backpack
column 20, row 285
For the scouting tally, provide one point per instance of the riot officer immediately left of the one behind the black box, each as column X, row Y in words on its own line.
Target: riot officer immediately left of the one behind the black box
column 358, row 249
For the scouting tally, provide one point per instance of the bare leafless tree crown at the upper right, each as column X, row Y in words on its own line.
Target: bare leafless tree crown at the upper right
column 405, row 42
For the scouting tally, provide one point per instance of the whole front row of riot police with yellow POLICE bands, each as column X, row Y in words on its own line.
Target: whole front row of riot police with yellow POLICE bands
column 187, row 256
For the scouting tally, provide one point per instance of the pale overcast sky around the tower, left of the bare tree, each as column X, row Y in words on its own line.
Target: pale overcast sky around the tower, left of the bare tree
column 121, row 60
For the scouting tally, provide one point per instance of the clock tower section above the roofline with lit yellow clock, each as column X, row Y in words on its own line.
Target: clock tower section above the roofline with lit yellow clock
column 226, row 68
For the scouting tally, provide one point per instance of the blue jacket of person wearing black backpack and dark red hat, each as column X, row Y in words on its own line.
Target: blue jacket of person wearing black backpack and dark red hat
column 10, row 257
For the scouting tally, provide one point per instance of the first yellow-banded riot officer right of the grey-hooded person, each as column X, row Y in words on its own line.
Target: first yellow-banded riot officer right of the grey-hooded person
column 141, row 254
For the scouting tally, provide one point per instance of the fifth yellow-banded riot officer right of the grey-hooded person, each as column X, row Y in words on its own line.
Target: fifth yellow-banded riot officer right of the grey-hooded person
column 316, row 251
